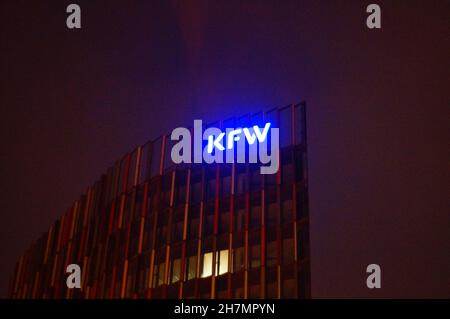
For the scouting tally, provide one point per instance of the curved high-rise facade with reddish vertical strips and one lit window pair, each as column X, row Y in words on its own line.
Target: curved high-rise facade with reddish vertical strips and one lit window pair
column 151, row 229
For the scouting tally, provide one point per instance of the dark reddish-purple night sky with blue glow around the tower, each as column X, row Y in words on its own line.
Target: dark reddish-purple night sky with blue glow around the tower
column 73, row 101
